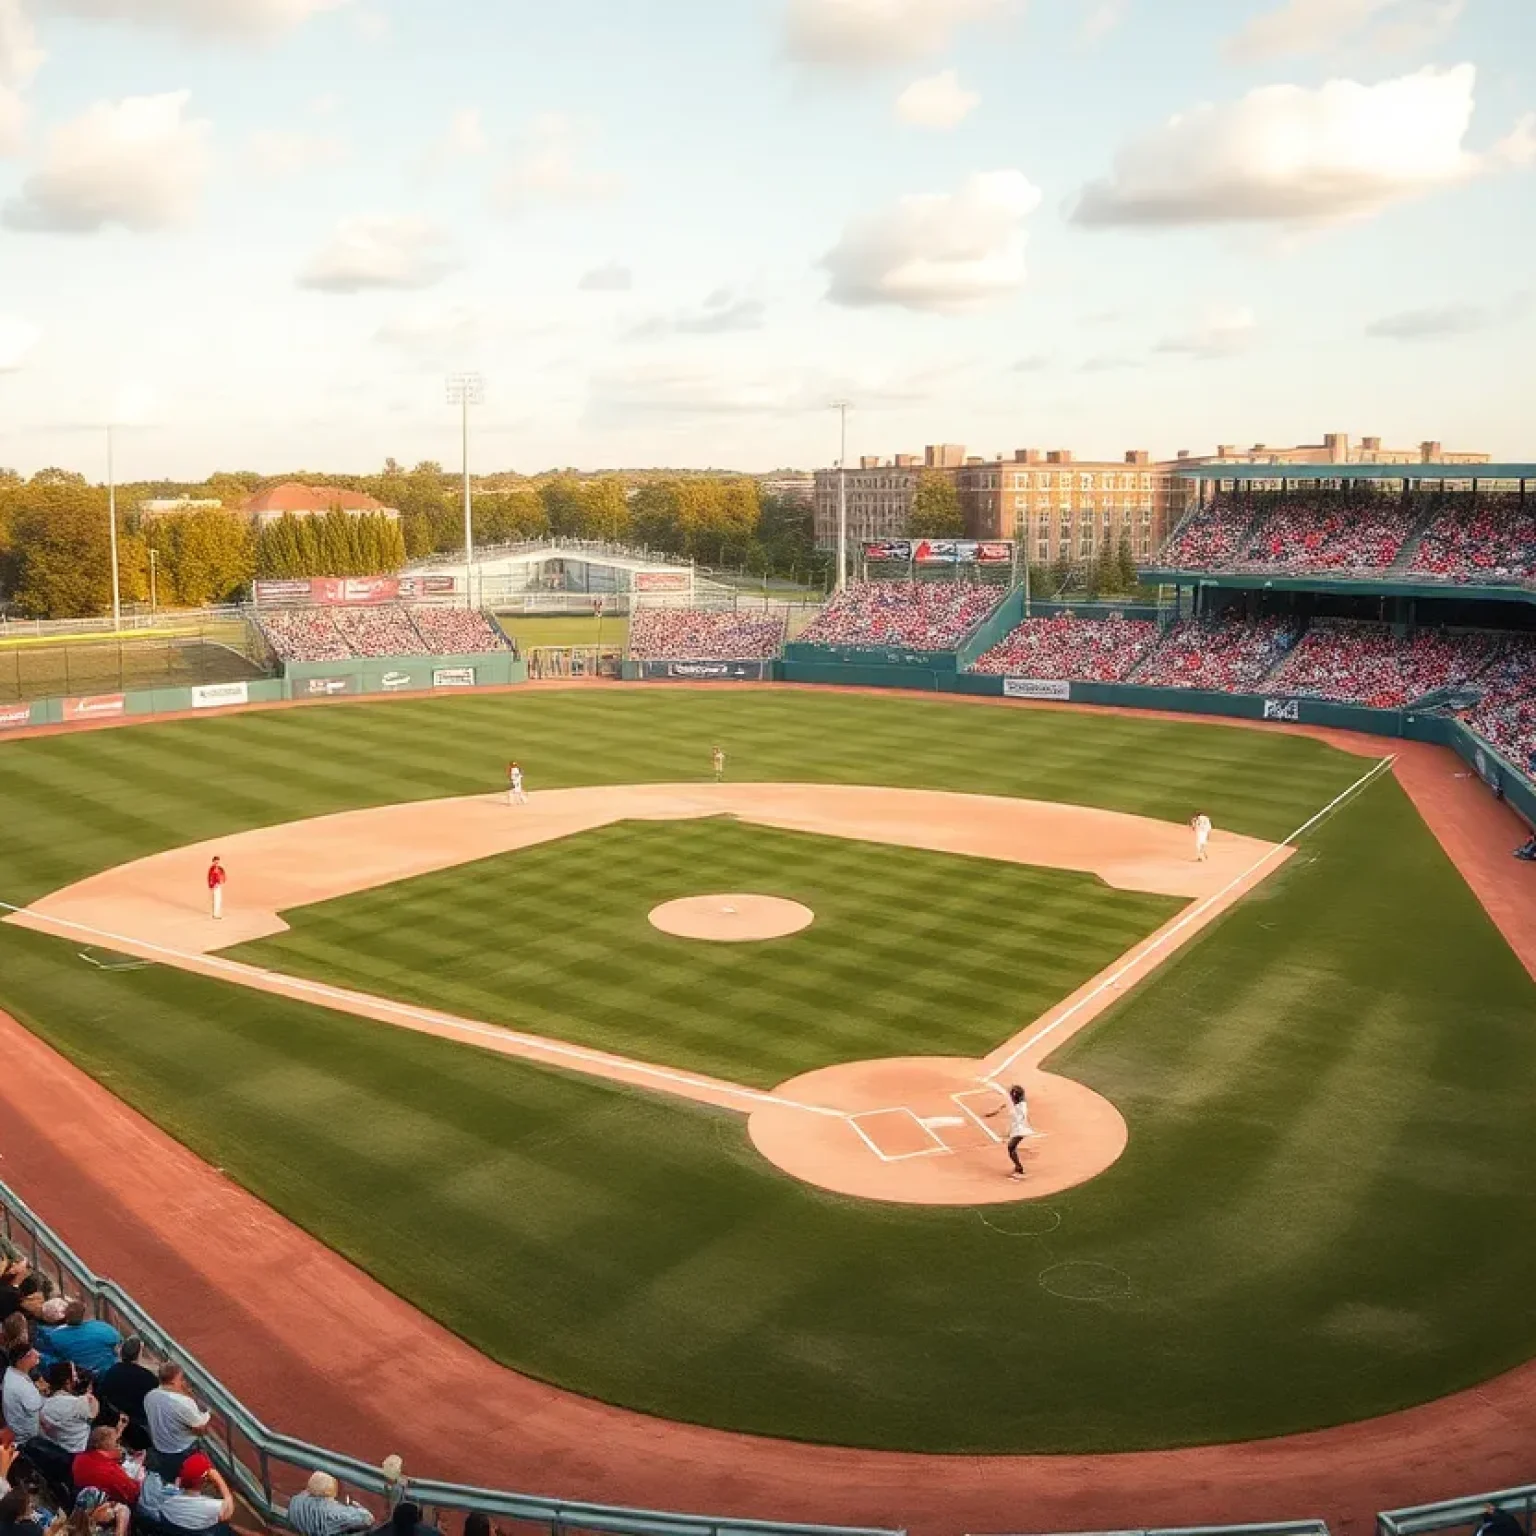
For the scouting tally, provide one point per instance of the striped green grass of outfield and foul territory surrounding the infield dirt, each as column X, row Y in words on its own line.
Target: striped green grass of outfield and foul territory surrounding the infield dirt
column 1328, row 1207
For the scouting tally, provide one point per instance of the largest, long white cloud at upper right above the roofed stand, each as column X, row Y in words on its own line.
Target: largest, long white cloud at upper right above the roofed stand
column 1294, row 156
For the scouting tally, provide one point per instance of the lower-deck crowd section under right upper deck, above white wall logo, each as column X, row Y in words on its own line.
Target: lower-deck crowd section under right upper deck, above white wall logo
column 1369, row 664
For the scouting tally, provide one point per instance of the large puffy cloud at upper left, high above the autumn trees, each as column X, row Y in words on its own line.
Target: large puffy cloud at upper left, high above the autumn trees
column 139, row 164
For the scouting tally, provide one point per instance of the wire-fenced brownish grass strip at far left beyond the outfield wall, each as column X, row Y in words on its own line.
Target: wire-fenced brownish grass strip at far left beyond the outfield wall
column 118, row 664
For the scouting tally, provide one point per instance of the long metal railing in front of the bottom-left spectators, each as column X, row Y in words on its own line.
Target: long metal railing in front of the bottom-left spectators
column 265, row 1468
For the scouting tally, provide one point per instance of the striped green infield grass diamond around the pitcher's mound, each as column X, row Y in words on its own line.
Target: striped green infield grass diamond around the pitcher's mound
column 555, row 941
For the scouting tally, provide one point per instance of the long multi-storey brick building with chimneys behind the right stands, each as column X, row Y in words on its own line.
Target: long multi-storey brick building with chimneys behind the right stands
column 1067, row 508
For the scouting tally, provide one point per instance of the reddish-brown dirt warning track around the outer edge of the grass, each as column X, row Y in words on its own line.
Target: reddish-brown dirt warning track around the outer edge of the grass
column 214, row 1265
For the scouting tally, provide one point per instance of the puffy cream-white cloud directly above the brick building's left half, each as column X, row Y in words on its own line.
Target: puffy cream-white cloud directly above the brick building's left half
column 941, row 253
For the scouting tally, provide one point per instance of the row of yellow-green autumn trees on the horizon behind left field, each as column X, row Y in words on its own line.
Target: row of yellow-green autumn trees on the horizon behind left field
column 56, row 552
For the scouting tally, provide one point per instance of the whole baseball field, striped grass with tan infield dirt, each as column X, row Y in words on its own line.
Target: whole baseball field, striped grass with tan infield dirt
column 1322, row 1205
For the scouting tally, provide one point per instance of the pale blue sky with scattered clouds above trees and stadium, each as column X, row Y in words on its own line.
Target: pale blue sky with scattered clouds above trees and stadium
column 260, row 234
